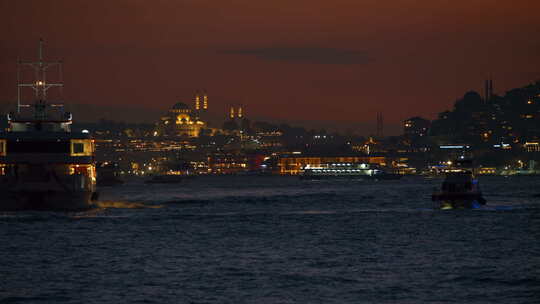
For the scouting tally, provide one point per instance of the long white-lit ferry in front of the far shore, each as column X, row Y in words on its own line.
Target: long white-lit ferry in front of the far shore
column 345, row 171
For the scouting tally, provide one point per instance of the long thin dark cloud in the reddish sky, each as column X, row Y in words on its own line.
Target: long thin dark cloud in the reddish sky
column 306, row 55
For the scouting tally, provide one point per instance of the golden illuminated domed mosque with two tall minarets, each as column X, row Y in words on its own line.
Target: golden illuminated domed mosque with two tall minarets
column 183, row 121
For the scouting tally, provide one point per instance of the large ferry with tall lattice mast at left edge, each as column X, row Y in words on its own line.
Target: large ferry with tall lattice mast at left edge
column 43, row 165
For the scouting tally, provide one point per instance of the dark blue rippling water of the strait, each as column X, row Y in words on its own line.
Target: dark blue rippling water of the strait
column 278, row 240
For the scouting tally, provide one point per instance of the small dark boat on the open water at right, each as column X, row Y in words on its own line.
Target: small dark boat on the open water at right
column 460, row 188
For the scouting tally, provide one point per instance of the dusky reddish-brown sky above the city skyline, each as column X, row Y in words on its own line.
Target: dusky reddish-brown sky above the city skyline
column 336, row 62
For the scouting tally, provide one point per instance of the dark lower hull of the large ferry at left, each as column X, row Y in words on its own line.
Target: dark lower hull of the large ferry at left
column 47, row 200
